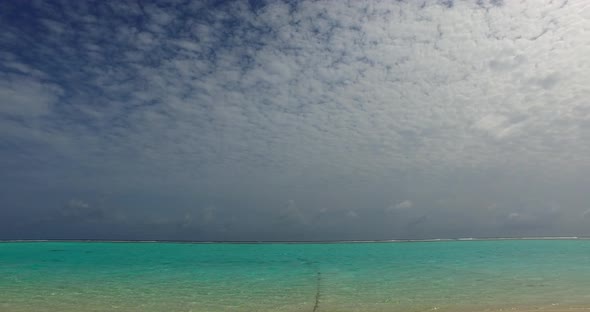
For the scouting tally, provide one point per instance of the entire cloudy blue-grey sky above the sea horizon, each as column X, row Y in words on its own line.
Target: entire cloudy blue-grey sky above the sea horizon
column 296, row 120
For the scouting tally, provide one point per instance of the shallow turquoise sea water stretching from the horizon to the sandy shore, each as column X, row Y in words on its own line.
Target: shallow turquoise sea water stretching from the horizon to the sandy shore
column 452, row 275
